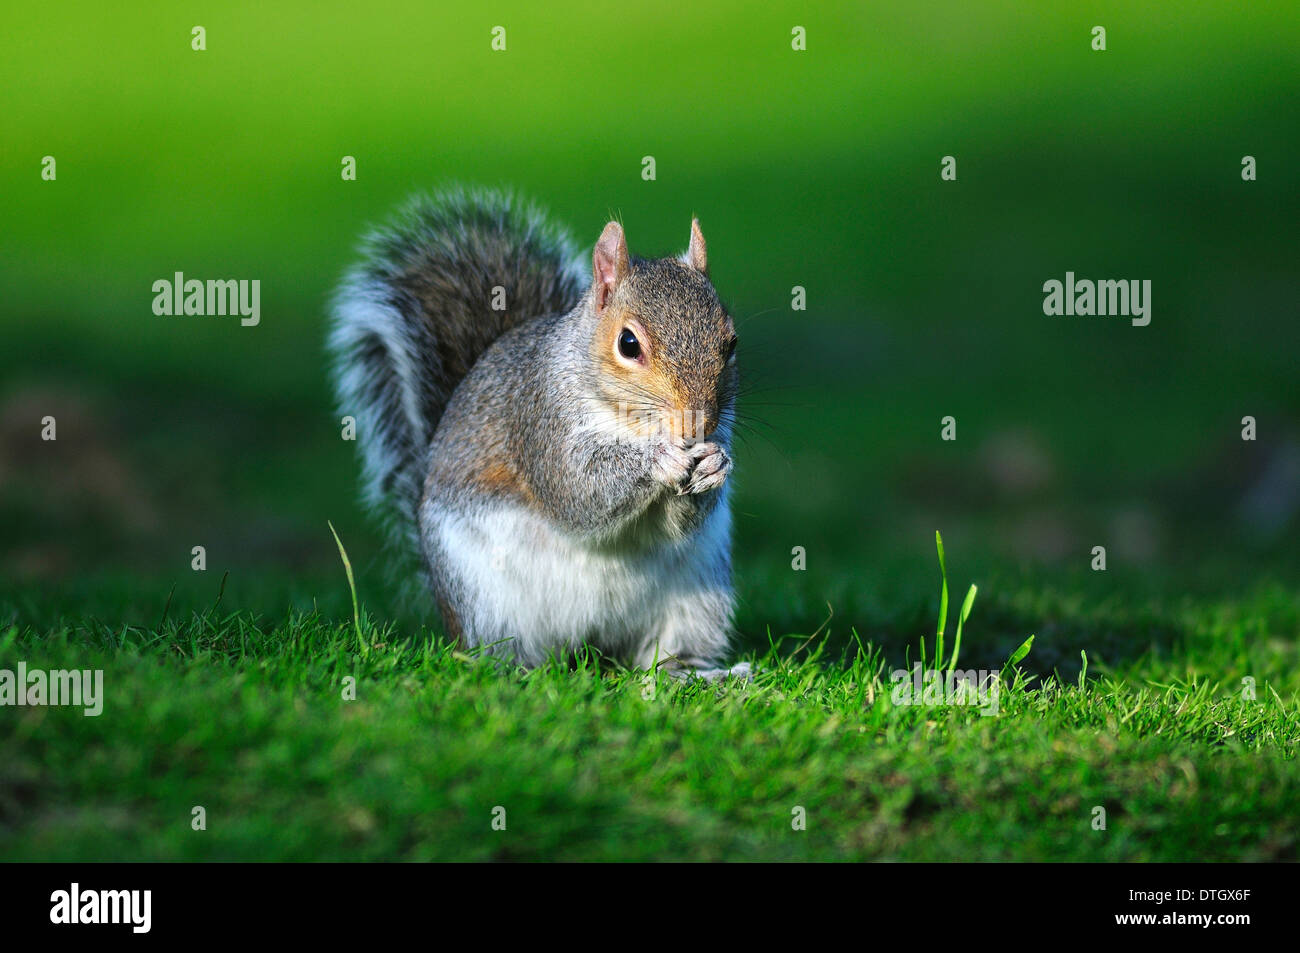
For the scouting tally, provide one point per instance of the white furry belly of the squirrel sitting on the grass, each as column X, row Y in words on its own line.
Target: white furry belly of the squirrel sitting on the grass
column 518, row 578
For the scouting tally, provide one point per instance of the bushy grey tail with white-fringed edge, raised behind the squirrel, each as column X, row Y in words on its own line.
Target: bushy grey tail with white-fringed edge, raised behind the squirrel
column 414, row 317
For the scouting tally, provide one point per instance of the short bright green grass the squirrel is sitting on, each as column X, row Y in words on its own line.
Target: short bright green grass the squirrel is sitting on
column 248, row 718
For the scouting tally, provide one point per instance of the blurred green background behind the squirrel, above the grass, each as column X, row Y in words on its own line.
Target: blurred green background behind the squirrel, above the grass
column 817, row 168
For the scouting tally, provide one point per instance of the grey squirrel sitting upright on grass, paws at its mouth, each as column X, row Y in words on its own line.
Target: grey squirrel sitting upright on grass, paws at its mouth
column 553, row 441
